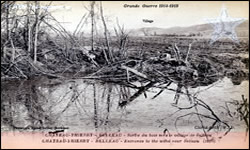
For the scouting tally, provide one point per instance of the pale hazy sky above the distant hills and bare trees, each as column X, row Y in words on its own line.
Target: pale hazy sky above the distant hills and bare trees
column 186, row 14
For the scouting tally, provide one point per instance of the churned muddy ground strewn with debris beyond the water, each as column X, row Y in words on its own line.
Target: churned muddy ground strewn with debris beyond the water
column 222, row 58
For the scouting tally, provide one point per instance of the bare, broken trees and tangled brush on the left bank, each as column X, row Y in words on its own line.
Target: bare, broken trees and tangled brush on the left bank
column 34, row 42
